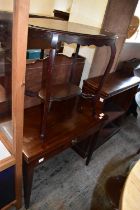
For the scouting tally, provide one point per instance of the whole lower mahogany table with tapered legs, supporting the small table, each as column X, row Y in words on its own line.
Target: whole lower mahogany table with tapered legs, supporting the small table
column 62, row 134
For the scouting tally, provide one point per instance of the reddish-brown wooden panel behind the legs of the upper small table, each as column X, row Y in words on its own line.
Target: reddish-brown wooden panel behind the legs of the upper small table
column 60, row 75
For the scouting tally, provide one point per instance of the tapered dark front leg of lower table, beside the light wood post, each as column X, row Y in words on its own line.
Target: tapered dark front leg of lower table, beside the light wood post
column 28, row 171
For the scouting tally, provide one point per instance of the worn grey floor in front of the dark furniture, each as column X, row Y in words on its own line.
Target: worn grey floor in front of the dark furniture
column 65, row 183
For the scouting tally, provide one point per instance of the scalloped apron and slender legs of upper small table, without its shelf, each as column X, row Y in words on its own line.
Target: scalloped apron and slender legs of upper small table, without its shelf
column 56, row 37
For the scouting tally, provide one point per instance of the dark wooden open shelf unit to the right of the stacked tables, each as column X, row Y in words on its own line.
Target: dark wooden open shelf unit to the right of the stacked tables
column 117, row 94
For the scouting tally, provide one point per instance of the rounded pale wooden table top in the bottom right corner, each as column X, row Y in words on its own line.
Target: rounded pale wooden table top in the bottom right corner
column 131, row 194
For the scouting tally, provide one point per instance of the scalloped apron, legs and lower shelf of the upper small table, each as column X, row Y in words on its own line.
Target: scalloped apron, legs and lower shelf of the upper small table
column 69, row 38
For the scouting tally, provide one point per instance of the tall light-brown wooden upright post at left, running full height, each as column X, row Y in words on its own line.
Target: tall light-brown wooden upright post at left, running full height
column 19, row 46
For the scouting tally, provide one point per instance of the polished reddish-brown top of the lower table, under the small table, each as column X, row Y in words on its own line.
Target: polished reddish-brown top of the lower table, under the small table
column 61, row 133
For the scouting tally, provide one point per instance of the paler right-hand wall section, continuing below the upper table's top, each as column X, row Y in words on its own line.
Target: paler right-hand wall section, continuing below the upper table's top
column 88, row 12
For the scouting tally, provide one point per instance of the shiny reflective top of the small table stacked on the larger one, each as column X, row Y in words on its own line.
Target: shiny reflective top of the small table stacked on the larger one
column 54, row 24
